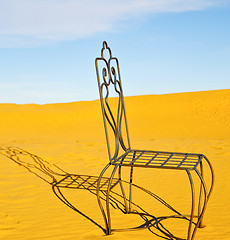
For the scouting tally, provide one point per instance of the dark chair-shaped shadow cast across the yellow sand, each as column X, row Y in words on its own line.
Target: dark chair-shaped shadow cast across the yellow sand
column 60, row 179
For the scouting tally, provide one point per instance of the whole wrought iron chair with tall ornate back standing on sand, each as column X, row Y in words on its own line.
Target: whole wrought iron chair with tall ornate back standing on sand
column 122, row 155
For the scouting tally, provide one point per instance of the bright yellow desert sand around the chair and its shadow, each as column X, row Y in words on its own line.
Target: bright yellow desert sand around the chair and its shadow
column 71, row 135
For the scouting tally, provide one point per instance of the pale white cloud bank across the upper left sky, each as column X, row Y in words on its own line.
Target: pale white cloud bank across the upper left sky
column 25, row 22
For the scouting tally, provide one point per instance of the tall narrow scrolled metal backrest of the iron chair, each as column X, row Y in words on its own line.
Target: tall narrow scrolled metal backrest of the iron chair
column 112, row 103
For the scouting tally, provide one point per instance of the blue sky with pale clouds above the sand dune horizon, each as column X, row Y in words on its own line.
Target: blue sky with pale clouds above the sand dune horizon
column 48, row 47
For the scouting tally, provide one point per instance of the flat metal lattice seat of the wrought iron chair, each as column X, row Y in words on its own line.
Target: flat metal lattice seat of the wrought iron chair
column 156, row 159
